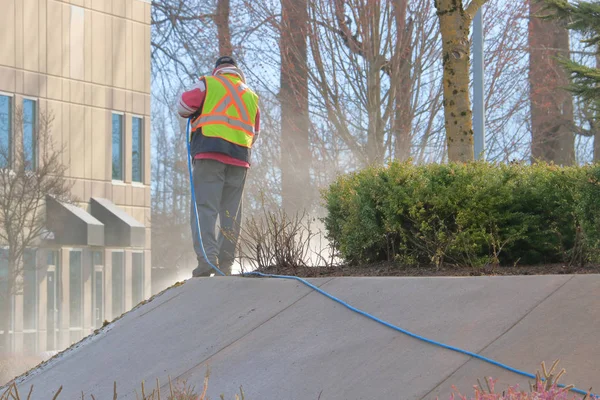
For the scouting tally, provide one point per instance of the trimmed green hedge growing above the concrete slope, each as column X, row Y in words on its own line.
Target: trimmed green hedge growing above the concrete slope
column 466, row 214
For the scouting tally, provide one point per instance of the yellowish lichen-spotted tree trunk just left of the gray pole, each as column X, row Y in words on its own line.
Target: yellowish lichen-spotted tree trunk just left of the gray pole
column 454, row 27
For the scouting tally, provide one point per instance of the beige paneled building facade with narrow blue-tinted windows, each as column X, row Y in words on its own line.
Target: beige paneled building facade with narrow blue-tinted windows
column 86, row 63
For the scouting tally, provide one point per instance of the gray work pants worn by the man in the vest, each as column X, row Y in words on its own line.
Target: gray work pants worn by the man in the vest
column 219, row 188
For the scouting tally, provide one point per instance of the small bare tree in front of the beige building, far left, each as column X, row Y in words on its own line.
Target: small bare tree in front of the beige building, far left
column 31, row 169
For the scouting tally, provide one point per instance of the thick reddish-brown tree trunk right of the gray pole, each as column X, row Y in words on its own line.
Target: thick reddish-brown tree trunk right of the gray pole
column 553, row 140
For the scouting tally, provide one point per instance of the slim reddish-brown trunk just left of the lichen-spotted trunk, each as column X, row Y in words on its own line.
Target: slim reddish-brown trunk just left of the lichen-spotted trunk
column 402, row 113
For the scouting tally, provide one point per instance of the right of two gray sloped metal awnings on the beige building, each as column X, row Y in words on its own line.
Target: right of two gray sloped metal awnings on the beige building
column 120, row 228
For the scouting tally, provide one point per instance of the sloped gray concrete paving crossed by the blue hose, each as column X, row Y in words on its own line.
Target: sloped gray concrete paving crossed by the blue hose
column 280, row 340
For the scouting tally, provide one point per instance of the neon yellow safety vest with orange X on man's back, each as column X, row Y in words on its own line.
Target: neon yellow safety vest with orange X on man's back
column 228, row 113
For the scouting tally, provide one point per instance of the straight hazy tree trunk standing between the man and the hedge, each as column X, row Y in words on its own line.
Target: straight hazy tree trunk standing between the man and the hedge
column 295, row 150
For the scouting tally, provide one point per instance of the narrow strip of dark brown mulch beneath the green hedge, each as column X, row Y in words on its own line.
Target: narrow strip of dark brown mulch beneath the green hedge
column 393, row 269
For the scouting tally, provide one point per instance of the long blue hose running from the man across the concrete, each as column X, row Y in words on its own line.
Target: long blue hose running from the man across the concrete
column 350, row 307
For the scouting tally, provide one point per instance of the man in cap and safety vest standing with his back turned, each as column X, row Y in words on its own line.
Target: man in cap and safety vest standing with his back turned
column 225, row 120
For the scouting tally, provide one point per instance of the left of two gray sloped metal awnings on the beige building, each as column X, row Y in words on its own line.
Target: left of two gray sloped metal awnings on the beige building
column 71, row 225
